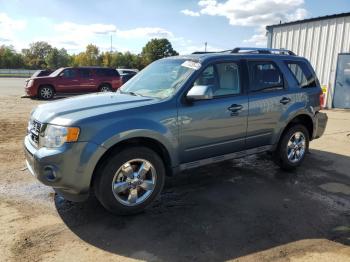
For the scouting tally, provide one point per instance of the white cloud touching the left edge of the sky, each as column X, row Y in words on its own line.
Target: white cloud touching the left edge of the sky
column 9, row 27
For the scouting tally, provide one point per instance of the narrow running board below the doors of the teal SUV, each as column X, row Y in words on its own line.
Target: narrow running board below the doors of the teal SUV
column 221, row 158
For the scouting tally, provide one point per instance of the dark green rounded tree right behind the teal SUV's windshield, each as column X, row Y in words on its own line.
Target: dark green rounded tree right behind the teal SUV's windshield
column 156, row 49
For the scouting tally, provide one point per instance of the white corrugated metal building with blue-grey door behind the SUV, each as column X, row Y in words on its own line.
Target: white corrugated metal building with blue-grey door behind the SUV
column 325, row 42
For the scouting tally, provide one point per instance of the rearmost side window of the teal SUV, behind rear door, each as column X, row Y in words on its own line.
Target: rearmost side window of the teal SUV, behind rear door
column 302, row 74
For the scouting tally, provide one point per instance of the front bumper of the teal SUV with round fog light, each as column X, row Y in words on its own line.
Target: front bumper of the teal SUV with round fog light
column 67, row 169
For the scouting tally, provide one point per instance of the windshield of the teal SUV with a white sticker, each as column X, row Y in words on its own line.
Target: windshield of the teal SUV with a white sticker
column 161, row 78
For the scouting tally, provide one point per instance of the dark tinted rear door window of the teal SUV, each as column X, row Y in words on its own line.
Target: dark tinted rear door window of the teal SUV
column 264, row 76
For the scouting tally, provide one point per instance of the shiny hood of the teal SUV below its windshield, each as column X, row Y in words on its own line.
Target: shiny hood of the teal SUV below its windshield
column 71, row 110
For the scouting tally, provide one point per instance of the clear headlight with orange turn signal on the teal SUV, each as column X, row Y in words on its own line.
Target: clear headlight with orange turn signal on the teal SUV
column 56, row 136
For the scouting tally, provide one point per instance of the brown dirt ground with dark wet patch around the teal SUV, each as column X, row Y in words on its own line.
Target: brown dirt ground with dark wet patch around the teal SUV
column 244, row 210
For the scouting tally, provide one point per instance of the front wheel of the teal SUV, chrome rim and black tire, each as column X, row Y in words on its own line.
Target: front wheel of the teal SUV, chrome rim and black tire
column 129, row 194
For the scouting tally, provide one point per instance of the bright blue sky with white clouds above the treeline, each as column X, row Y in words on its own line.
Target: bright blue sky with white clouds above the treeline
column 188, row 24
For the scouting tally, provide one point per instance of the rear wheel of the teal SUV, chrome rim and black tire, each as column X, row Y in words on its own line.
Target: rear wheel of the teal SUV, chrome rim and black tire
column 292, row 148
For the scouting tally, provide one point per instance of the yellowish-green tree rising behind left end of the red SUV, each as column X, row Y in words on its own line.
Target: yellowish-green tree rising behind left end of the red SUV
column 35, row 56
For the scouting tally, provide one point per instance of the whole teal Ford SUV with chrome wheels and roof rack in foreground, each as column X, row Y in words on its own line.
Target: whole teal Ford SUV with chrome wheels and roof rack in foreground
column 178, row 113
